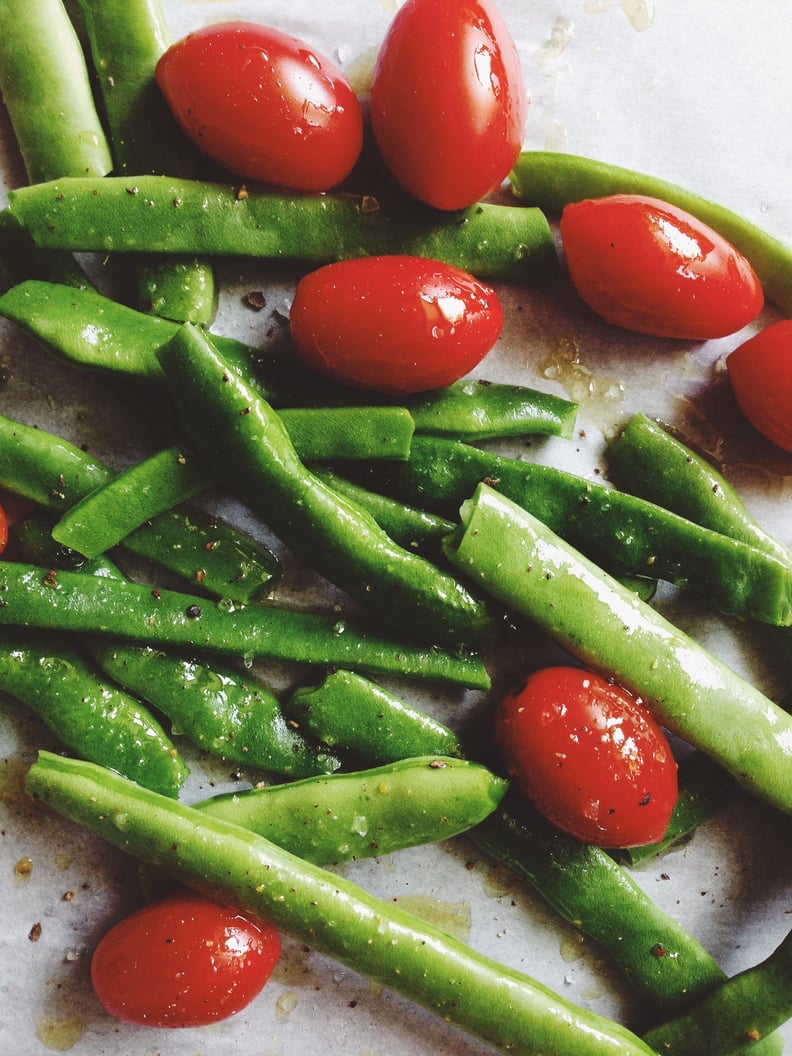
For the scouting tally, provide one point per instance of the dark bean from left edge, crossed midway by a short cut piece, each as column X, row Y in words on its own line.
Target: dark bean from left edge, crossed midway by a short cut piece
column 55, row 475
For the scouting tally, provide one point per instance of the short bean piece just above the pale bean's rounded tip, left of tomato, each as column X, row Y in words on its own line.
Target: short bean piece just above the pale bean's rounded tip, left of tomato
column 350, row 713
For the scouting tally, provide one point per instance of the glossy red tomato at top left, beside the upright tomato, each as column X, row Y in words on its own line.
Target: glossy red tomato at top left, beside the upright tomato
column 265, row 105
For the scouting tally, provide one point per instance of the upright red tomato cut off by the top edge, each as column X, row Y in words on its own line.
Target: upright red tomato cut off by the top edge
column 448, row 101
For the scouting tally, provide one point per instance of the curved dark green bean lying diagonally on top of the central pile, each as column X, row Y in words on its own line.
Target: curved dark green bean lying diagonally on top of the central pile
column 241, row 438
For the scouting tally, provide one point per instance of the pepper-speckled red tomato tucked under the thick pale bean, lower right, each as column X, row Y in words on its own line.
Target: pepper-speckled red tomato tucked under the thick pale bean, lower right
column 590, row 757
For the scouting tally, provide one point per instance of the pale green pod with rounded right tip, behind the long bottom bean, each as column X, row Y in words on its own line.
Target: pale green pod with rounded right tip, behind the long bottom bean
column 360, row 815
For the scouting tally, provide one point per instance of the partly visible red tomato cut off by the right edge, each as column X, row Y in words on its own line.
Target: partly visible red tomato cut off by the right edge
column 761, row 372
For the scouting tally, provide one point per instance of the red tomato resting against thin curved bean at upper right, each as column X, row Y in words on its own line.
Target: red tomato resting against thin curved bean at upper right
column 649, row 267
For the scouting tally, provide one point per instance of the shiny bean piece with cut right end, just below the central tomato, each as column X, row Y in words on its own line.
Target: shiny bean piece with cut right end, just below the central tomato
column 475, row 410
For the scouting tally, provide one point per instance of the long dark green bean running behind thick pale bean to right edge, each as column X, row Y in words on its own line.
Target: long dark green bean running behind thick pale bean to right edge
column 625, row 534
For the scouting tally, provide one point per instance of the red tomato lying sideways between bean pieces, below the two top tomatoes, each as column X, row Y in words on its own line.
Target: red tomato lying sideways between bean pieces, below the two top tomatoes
column 394, row 325
